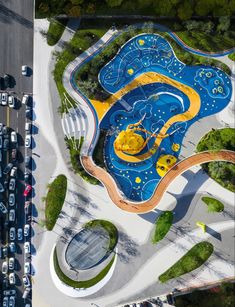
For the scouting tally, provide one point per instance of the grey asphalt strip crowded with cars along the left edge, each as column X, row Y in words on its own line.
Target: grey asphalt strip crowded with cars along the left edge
column 16, row 41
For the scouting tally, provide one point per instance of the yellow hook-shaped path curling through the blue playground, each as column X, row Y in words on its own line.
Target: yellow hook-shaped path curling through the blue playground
column 148, row 78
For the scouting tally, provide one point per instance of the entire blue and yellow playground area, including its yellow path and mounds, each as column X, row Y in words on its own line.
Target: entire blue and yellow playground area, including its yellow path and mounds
column 155, row 98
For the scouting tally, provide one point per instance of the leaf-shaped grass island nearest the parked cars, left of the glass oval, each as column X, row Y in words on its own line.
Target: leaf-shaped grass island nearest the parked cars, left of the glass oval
column 55, row 200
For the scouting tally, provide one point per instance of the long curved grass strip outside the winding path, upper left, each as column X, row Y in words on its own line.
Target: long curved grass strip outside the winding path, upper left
column 80, row 42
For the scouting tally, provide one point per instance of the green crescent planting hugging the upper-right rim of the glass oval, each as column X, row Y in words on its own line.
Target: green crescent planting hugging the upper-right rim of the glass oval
column 109, row 227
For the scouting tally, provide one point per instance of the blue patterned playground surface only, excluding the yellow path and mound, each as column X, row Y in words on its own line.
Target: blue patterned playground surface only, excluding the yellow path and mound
column 157, row 103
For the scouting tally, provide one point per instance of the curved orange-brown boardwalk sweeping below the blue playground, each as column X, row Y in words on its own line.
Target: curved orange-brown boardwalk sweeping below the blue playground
column 176, row 170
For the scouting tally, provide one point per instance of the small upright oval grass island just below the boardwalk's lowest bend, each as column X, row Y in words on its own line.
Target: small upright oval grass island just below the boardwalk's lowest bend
column 163, row 225
